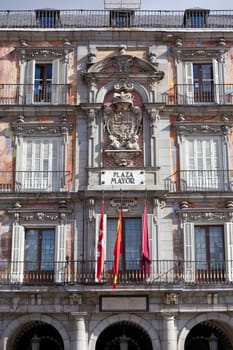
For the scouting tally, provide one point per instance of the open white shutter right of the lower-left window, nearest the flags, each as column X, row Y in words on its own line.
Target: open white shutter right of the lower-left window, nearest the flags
column 60, row 253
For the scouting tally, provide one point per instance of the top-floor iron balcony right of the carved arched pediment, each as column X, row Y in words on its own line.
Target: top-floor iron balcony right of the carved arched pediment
column 193, row 94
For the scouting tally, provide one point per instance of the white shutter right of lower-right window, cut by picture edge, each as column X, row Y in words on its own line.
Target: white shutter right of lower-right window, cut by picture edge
column 228, row 233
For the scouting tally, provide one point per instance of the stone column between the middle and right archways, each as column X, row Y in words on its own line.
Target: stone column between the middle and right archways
column 170, row 333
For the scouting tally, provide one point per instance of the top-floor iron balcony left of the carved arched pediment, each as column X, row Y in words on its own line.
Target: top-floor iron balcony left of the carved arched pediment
column 23, row 94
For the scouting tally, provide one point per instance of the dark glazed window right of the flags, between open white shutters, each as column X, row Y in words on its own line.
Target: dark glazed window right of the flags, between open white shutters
column 209, row 251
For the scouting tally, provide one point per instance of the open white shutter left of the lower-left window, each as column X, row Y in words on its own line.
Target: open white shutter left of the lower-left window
column 17, row 253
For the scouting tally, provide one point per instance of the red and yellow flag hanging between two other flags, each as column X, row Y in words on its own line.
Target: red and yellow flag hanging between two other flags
column 117, row 249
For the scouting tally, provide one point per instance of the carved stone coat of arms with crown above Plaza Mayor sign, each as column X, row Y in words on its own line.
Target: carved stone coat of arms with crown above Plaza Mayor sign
column 122, row 123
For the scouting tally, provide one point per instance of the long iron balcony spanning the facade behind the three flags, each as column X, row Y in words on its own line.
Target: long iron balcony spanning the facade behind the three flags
column 160, row 272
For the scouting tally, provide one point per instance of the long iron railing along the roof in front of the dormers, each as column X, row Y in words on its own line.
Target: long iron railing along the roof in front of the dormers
column 103, row 19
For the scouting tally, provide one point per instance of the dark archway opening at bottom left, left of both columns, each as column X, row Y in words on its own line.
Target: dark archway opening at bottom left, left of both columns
column 44, row 335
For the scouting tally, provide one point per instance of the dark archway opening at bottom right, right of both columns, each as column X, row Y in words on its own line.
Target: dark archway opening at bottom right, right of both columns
column 207, row 336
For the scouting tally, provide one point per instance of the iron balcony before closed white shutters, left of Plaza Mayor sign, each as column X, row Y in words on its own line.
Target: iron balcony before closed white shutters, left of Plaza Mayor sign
column 34, row 181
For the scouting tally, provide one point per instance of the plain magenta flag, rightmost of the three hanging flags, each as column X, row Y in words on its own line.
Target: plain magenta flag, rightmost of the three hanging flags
column 145, row 245
